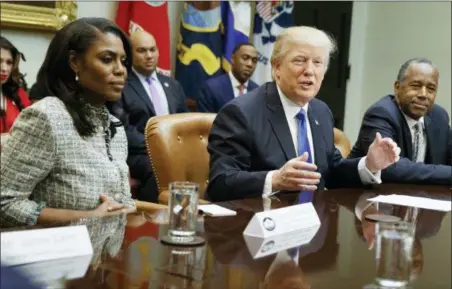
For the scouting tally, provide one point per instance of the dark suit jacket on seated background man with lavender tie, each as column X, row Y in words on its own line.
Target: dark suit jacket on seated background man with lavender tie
column 137, row 104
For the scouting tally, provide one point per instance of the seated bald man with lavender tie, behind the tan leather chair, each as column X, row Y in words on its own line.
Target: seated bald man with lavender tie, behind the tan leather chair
column 147, row 94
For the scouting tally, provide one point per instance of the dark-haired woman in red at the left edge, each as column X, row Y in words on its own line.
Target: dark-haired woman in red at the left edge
column 13, row 95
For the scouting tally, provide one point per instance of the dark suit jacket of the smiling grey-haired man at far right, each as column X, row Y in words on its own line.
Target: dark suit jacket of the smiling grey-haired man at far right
column 386, row 117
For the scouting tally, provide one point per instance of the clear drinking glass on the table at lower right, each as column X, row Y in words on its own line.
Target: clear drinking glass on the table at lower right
column 394, row 247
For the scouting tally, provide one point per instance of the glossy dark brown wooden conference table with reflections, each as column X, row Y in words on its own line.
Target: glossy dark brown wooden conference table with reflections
column 339, row 256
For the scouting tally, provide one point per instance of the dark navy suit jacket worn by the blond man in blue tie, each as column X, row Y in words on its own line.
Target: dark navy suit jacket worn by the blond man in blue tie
column 250, row 137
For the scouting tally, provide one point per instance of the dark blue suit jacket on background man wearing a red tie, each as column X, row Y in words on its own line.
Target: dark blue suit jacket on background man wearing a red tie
column 216, row 92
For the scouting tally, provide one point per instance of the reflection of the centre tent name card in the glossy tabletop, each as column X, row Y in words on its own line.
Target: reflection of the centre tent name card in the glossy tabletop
column 259, row 247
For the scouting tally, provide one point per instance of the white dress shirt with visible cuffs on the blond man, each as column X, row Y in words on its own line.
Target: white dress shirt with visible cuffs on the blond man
column 290, row 110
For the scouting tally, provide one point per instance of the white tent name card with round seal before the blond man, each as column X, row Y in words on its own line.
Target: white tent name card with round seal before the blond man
column 282, row 221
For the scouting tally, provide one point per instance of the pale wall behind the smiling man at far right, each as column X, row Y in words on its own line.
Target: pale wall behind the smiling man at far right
column 386, row 34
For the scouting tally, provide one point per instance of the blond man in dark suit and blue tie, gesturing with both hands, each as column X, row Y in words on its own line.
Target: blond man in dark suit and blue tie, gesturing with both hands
column 255, row 139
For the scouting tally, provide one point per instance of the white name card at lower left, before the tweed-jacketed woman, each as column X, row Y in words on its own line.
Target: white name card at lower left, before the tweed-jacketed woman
column 30, row 246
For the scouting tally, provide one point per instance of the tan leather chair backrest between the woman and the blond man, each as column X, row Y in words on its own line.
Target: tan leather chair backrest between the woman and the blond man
column 177, row 147
